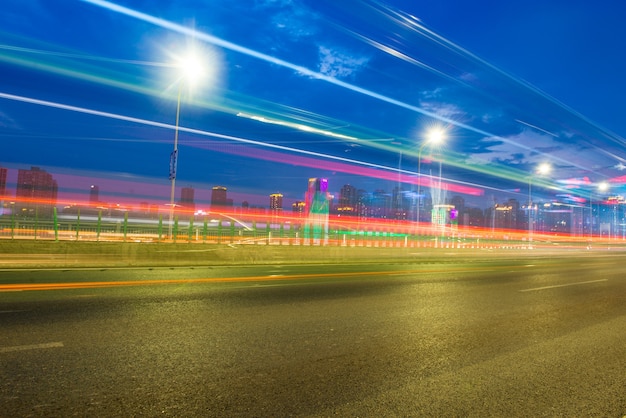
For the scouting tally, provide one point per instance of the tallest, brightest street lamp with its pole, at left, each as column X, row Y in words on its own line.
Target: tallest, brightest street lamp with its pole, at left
column 190, row 69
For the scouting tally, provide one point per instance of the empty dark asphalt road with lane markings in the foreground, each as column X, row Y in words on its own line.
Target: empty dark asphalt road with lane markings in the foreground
column 540, row 336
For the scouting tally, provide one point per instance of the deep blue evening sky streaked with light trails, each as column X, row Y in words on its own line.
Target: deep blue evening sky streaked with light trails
column 294, row 89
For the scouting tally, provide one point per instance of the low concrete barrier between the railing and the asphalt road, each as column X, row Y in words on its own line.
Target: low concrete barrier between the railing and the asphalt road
column 20, row 254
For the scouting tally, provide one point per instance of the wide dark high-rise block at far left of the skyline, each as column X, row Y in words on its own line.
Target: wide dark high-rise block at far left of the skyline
column 36, row 193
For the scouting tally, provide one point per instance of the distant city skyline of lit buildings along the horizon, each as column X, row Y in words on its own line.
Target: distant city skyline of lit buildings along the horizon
column 36, row 194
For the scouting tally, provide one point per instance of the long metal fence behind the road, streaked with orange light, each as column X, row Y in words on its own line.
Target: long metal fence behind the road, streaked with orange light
column 273, row 230
